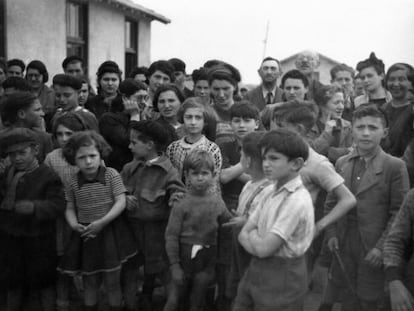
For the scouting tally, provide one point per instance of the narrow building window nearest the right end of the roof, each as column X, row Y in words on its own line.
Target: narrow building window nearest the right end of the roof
column 131, row 45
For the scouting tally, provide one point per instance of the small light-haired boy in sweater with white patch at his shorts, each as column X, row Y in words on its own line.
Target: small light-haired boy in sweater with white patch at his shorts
column 191, row 235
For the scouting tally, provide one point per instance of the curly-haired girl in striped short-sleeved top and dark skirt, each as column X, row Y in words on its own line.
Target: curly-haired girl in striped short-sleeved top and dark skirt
column 100, row 242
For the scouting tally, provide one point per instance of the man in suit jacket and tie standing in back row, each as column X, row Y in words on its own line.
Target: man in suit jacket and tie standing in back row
column 267, row 92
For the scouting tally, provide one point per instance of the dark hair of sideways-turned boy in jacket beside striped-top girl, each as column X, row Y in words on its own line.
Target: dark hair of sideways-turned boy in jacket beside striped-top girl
column 151, row 131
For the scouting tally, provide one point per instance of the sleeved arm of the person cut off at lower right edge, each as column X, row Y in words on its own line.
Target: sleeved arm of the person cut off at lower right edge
column 398, row 239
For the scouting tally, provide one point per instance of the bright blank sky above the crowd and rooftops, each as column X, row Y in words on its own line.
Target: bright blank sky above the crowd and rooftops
column 234, row 31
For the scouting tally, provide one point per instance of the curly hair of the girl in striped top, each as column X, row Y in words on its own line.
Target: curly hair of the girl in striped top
column 84, row 139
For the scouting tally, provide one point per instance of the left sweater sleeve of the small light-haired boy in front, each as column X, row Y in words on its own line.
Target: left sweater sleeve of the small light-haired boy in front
column 172, row 234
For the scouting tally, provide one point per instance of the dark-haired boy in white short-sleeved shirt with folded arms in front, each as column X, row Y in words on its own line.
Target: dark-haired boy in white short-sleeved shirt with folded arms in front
column 279, row 231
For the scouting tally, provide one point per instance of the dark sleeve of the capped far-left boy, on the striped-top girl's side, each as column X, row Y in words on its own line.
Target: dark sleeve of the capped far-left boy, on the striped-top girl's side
column 54, row 202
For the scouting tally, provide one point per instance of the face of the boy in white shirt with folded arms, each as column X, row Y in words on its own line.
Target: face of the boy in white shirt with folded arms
column 277, row 166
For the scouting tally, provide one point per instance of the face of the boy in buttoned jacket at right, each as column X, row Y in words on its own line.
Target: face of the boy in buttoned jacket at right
column 368, row 132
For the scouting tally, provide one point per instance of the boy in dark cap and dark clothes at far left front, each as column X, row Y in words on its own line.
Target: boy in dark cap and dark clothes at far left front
column 31, row 197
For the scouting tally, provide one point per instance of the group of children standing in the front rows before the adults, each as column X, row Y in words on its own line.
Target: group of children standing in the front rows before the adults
column 246, row 216
